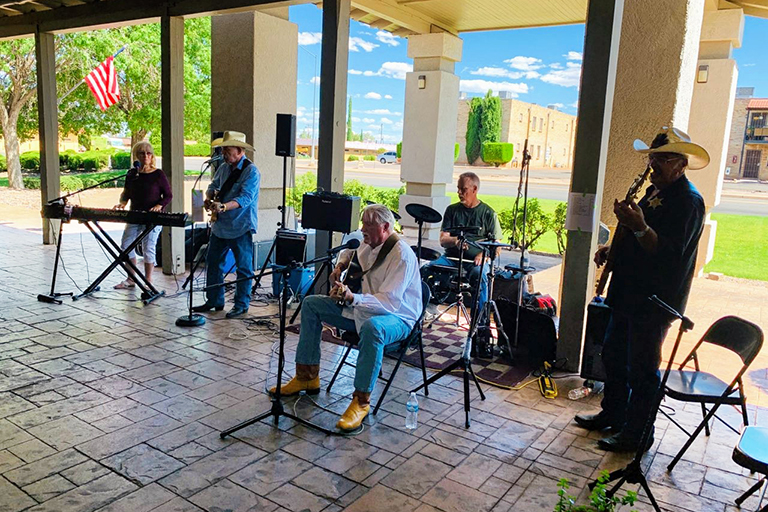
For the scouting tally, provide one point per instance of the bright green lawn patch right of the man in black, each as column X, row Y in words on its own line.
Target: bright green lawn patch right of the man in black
column 741, row 246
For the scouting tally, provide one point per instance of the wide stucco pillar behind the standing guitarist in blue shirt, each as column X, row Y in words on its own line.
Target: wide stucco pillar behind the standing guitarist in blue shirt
column 253, row 68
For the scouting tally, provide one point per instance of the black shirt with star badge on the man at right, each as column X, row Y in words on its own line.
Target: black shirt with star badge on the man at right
column 676, row 214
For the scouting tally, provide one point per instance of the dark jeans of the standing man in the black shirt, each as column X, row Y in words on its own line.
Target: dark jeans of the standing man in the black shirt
column 632, row 355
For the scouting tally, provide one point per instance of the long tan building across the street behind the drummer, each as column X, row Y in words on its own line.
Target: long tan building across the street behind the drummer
column 549, row 133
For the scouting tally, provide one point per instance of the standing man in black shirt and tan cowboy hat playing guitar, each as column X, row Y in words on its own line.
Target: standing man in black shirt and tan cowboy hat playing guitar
column 657, row 257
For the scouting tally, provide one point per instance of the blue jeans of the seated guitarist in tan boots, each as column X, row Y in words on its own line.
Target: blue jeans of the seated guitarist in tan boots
column 375, row 334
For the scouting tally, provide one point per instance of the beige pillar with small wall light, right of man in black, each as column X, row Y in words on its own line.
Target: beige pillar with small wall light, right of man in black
column 712, row 111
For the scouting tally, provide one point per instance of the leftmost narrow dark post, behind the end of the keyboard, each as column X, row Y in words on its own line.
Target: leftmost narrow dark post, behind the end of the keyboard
column 47, row 112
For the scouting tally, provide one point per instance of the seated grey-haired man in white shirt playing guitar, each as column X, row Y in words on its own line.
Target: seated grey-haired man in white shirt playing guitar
column 383, row 312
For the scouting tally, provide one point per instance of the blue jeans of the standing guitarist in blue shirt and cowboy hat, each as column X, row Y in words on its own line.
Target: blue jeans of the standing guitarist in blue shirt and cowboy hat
column 242, row 248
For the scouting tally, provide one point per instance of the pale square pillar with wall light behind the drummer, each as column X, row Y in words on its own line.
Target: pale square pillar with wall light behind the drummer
column 429, row 125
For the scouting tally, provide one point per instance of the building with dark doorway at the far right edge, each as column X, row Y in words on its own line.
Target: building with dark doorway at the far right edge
column 748, row 146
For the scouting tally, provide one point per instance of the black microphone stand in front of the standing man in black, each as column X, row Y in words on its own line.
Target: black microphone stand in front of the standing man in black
column 633, row 472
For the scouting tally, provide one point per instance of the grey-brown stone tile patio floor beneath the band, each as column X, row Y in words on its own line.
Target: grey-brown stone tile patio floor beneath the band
column 106, row 405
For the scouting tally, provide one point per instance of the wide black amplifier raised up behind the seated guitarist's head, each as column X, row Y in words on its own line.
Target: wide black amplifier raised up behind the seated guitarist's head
column 330, row 212
